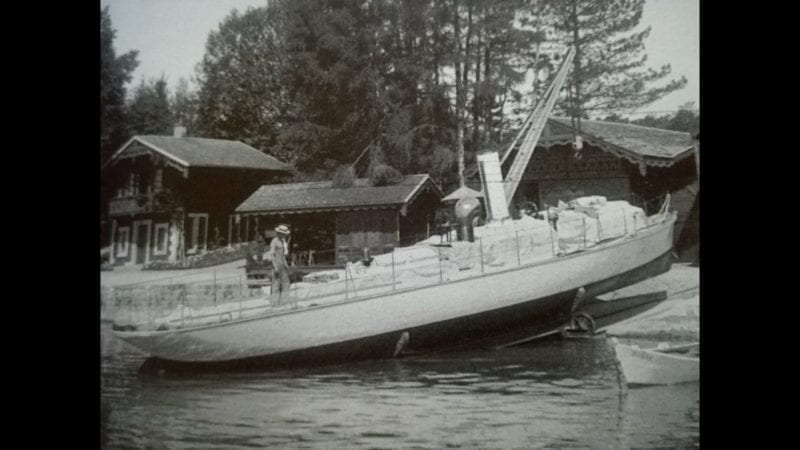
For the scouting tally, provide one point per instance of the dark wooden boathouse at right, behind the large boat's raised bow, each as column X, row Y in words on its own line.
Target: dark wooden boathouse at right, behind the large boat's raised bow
column 617, row 160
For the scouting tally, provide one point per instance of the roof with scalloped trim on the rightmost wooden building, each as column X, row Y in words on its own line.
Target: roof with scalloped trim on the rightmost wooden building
column 636, row 143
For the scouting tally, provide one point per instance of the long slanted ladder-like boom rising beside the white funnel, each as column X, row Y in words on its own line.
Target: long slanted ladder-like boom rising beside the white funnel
column 532, row 129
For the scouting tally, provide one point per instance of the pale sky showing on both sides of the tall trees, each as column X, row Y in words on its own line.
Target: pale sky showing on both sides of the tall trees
column 170, row 36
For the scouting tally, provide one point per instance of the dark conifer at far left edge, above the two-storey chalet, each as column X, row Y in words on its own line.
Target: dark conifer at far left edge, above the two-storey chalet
column 115, row 72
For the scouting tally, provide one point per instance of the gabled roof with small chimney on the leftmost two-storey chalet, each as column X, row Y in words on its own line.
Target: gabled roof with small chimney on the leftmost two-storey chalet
column 189, row 152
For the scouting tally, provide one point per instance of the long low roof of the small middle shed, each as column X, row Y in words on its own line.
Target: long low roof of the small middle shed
column 322, row 196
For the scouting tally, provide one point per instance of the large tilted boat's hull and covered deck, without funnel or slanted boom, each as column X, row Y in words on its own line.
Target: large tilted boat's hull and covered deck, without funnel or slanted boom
column 428, row 295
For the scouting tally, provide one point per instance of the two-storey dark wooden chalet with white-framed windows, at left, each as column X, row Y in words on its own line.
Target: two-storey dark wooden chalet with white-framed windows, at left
column 171, row 196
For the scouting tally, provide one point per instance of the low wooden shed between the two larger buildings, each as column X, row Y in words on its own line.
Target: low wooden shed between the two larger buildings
column 337, row 223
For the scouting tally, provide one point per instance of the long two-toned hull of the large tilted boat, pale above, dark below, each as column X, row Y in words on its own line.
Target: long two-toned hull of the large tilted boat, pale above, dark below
column 432, row 316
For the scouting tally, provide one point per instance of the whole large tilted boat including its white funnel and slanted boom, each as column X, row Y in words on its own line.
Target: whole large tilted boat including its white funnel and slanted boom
column 530, row 273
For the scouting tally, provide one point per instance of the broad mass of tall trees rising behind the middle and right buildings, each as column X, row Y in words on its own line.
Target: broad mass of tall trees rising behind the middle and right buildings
column 422, row 85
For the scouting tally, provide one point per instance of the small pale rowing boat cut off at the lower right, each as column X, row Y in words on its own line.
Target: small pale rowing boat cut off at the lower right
column 661, row 365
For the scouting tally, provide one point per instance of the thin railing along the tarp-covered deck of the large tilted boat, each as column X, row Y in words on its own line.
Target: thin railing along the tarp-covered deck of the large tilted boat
column 195, row 303
